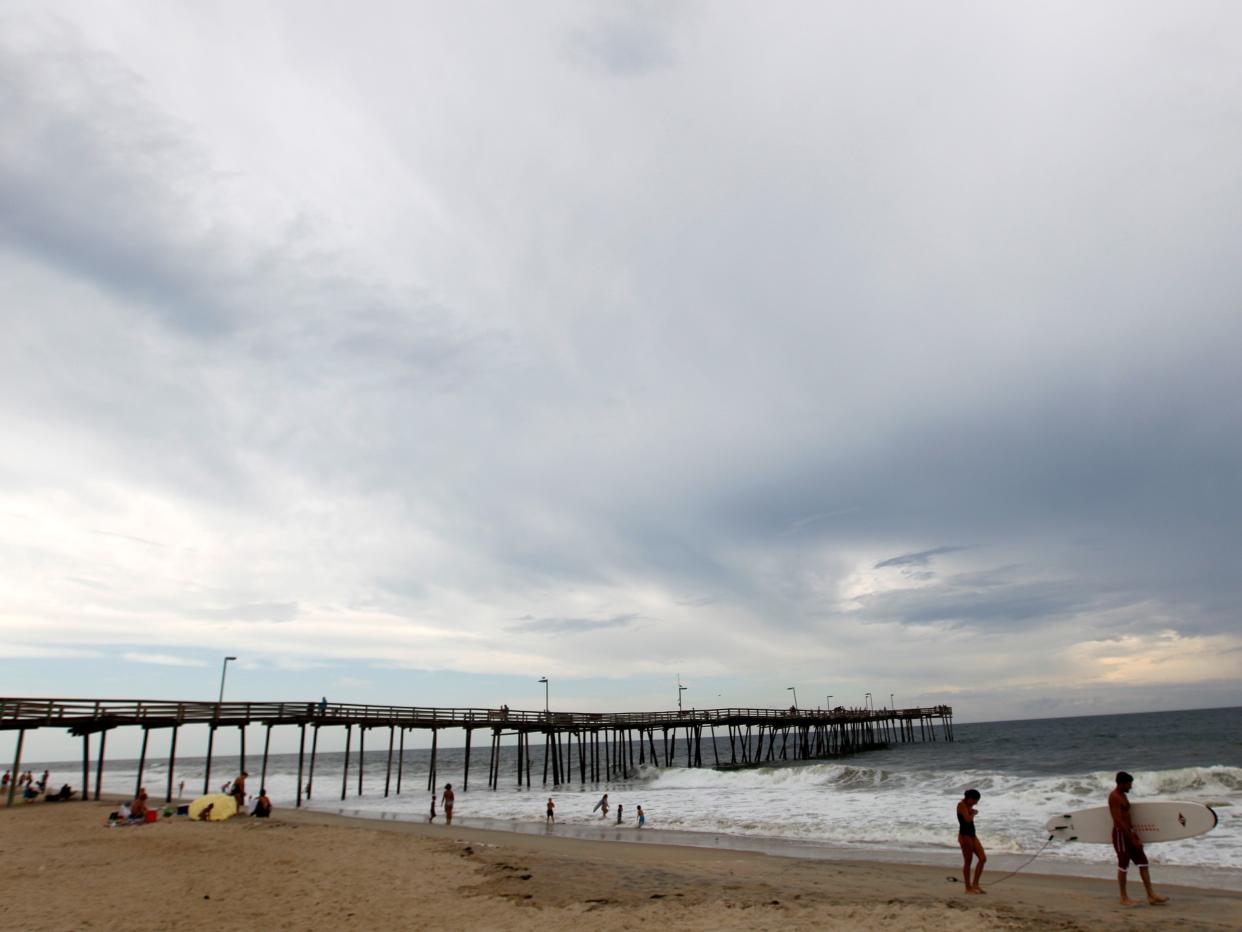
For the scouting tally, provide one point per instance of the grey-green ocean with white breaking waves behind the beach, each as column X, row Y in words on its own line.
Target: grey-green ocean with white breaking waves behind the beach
column 891, row 805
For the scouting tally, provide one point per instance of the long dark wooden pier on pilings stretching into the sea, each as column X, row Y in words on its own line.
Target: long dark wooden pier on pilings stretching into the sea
column 605, row 741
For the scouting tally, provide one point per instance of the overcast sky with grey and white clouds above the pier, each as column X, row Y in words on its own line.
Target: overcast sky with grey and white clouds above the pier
column 413, row 352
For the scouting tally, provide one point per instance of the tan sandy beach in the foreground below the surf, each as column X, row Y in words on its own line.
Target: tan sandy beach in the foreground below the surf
column 66, row 870
